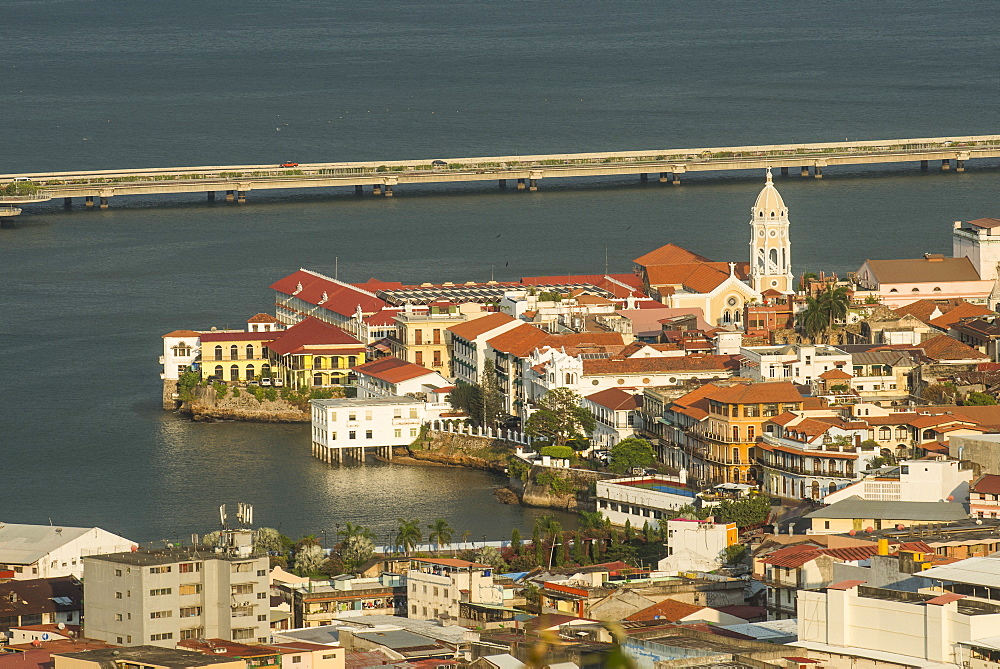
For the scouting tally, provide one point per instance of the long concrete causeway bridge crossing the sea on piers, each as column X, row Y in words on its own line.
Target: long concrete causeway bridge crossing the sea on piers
column 668, row 165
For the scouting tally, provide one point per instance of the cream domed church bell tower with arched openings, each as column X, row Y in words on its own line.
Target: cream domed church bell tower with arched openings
column 770, row 247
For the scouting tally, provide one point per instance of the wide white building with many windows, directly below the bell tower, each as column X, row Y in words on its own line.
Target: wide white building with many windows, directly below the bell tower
column 798, row 363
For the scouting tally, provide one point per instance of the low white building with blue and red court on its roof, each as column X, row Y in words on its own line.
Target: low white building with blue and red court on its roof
column 642, row 499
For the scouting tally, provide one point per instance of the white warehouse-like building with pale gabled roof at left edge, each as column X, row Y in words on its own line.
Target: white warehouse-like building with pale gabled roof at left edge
column 47, row 551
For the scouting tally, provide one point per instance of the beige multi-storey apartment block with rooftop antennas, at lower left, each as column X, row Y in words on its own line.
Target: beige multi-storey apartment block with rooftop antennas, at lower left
column 165, row 596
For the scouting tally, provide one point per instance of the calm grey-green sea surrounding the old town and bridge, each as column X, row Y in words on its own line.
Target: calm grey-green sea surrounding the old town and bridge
column 85, row 295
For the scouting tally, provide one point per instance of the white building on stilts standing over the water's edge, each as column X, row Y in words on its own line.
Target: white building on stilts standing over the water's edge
column 373, row 422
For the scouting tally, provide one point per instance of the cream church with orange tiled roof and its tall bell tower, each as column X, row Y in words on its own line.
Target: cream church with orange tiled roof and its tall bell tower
column 682, row 279
